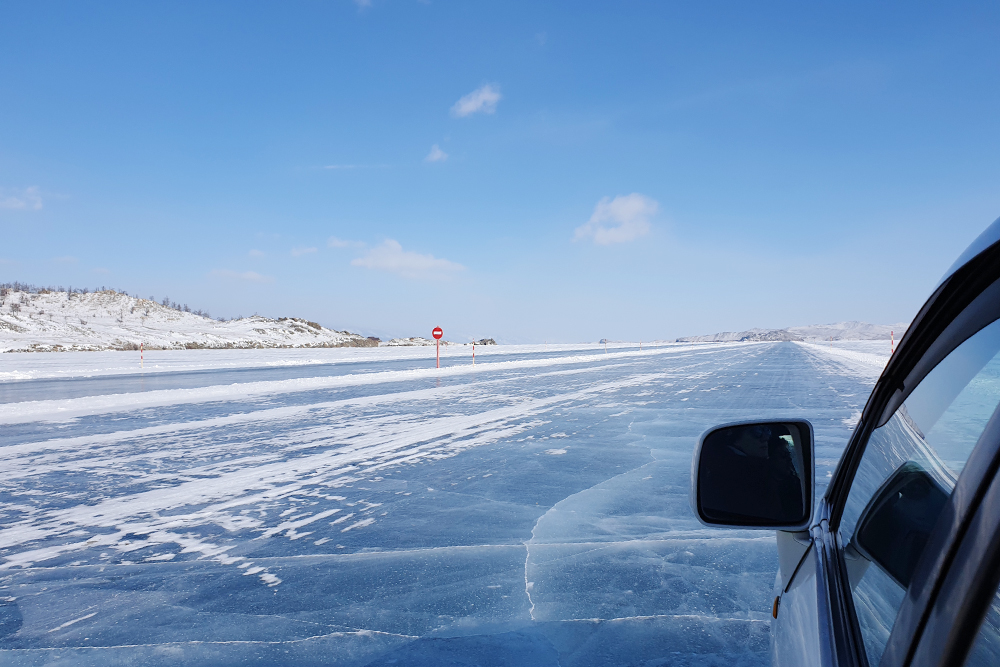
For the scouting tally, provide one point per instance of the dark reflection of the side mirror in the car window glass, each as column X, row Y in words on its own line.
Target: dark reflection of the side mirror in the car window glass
column 894, row 527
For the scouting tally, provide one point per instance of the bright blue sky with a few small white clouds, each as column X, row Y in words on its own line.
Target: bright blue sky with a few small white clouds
column 527, row 171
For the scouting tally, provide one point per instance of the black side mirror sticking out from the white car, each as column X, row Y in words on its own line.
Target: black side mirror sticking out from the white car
column 755, row 475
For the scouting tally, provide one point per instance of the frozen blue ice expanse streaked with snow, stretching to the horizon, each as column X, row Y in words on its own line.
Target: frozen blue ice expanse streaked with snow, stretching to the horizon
column 360, row 507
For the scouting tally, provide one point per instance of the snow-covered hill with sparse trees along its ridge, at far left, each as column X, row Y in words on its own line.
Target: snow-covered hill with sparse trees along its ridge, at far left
column 109, row 320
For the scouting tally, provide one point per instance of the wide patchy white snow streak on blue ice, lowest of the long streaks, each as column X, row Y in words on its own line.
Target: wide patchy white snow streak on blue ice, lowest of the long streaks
column 156, row 511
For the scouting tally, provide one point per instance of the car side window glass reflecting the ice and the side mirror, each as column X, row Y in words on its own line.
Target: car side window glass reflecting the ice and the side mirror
column 909, row 468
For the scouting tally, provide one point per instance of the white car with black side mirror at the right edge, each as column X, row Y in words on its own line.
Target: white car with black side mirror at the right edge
column 898, row 564
